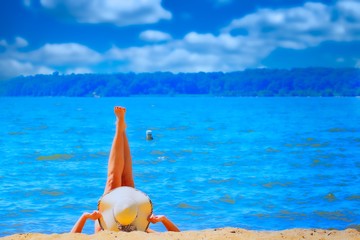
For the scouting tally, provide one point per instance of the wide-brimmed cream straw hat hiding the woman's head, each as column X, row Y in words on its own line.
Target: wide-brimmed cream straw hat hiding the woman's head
column 125, row 209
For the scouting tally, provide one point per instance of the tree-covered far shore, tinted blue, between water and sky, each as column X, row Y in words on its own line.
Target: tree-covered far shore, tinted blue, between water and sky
column 325, row 82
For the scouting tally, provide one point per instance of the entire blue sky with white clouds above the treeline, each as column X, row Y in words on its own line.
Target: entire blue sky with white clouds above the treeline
column 106, row 36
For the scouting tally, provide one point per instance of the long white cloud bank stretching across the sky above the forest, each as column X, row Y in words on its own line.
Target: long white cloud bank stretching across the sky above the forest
column 244, row 43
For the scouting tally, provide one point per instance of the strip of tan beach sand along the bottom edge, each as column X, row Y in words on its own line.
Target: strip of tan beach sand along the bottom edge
column 211, row 234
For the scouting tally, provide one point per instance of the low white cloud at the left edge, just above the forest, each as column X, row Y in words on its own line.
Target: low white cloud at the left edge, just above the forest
column 45, row 60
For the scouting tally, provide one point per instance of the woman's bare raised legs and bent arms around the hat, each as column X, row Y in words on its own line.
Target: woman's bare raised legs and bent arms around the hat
column 119, row 175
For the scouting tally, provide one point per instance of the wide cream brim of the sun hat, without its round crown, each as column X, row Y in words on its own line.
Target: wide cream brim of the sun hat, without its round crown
column 108, row 201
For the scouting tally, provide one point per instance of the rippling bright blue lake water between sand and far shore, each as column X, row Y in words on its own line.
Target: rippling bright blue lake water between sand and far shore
column 255, row 163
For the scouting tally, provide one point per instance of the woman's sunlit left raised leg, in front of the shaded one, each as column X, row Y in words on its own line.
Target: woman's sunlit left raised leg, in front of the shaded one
column 116, row 164
